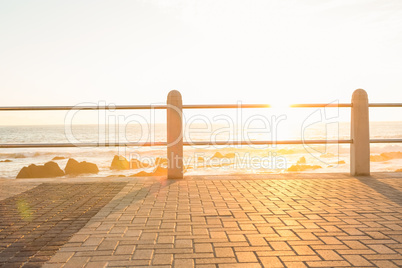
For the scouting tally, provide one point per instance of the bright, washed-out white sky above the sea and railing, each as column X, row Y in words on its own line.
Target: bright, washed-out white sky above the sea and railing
column 134, row 52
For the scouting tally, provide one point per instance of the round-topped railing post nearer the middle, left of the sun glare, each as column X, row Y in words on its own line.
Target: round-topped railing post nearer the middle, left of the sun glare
column 174, row 135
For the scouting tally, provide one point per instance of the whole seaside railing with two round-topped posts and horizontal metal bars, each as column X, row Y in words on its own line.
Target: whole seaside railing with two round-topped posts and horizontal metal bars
column 359, row 141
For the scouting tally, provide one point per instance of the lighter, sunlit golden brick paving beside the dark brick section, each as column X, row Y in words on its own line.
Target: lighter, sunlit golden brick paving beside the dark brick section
column 319, row 220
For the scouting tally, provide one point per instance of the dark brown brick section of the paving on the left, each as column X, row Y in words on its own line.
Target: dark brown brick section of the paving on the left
column 36, row 223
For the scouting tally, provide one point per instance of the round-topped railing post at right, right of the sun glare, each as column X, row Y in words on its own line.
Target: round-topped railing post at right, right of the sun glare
column 360, row 147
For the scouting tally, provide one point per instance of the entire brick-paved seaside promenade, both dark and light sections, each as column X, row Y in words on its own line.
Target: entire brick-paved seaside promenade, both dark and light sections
column 276, row 220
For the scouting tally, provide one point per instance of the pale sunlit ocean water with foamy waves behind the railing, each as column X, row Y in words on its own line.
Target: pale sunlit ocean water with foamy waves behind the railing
column 199, row 160
